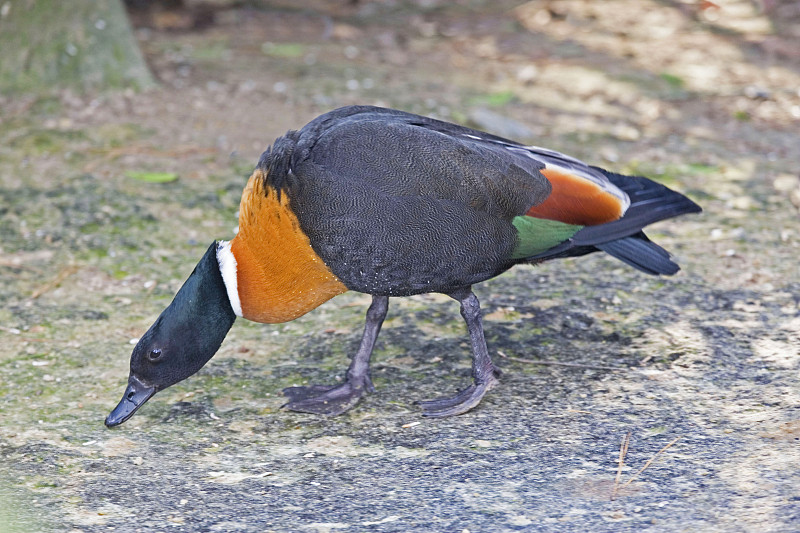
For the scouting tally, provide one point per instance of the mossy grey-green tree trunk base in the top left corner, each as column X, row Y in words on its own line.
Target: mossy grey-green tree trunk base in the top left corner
column 83, row 44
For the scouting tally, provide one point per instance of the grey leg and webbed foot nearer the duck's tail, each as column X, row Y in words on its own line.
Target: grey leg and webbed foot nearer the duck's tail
column 483, row 371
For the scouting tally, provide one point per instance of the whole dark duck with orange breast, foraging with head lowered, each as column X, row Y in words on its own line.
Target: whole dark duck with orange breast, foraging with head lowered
column 393, row 204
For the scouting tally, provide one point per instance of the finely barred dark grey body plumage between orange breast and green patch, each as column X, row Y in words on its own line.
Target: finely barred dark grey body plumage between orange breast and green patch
column 395, row 207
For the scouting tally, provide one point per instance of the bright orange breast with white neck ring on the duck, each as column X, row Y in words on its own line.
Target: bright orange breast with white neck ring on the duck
column 271, row 272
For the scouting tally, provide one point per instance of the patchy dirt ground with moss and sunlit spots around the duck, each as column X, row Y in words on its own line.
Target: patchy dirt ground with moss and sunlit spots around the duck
column 699, row 371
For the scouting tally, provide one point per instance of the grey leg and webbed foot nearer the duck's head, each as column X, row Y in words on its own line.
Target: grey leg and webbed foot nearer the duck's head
column 335, row 400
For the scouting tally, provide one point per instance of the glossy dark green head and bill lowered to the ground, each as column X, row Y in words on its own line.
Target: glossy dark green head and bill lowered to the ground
column 186, row 335
